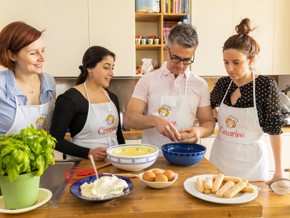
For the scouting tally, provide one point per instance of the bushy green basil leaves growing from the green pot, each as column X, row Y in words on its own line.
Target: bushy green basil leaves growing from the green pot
column 30, row 150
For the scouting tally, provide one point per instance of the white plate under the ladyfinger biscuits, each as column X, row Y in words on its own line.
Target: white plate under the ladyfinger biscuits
column 190, row 187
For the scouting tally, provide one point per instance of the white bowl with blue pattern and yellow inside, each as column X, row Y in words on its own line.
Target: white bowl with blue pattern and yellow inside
column 132, row 157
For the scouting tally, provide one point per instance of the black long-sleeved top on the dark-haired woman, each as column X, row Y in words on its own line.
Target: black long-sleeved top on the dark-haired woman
column 70, row 113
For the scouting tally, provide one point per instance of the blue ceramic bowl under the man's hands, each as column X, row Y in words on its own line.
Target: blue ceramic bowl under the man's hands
column 183, row 154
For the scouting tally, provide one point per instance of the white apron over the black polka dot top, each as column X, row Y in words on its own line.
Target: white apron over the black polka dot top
column 239, row 149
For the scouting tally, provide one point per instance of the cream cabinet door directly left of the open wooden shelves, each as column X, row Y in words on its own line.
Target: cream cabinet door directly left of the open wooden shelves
column 111, row 24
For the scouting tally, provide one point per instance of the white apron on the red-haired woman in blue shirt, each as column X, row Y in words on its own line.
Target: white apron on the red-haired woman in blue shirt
column 38, row 115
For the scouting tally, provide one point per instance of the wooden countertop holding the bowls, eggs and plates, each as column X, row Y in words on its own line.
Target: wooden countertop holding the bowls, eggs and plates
column 173, row 201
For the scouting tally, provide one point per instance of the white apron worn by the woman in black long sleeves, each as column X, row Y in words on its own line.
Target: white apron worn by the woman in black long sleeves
column 100, row 127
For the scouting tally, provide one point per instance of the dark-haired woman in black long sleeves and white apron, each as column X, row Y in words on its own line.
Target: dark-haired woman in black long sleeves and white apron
column 89, row 111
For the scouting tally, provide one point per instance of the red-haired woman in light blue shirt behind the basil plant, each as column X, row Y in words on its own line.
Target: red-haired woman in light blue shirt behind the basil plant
column 26, row 92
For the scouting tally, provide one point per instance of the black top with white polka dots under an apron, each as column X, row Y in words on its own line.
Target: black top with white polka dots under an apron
column 267, row 98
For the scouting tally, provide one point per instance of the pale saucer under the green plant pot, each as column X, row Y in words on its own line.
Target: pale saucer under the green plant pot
column 44, row 196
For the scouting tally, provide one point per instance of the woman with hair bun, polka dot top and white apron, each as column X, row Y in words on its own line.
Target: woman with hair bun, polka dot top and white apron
column 246, row 105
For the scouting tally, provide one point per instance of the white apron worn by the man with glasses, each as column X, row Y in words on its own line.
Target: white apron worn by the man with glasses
column 173, row 108
